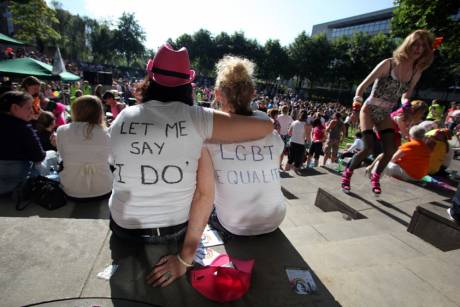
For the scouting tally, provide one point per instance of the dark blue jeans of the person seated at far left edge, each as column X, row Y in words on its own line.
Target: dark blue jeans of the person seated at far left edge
column 12, row 173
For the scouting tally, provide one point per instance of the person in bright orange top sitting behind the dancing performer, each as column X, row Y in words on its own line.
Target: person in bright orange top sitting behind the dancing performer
column 411, row 161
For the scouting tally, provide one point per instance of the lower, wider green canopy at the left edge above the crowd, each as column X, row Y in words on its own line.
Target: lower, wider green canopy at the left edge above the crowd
column 24, row 67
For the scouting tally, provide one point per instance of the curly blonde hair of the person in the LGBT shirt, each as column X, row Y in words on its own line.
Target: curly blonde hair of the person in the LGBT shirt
column 235, row 81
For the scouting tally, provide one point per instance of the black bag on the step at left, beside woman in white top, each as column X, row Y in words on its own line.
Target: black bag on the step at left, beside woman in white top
column 42, row 191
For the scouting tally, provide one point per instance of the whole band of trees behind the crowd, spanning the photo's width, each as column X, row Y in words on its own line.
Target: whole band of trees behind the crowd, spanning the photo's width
column 339, row 63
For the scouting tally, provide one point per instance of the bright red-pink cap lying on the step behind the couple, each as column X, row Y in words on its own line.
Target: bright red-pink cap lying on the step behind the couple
column 223, row 284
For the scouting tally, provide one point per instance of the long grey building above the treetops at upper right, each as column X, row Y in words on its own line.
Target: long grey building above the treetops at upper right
column 370, row 23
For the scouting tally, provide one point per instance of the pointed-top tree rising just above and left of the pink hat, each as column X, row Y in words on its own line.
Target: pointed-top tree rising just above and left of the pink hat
column 129, row 37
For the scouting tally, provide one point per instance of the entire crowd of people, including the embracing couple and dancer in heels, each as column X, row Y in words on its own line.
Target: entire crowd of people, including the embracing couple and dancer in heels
column 126, row 143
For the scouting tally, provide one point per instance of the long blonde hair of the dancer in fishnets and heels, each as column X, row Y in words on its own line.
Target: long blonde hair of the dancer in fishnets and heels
column 402, row 53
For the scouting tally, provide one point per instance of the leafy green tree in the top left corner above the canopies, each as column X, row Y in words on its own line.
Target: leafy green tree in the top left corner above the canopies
column 33, row 21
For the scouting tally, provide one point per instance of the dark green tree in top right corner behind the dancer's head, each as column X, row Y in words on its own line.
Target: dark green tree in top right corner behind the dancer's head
column 439, row 17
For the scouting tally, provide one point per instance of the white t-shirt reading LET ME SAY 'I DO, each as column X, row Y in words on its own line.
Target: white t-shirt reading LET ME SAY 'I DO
column 155, row 148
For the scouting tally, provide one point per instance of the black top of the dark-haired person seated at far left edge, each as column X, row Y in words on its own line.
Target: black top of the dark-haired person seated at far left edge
column 19, row 140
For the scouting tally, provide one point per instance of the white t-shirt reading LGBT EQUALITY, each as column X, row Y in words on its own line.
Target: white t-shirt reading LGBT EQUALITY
column 248, row 198
